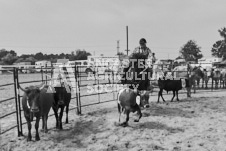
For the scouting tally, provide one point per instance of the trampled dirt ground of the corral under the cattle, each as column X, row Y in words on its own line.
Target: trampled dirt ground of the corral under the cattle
column 196, row 124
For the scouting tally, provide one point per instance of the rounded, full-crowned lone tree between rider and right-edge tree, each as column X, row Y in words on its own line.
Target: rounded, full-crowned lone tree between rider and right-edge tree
column 191, row 51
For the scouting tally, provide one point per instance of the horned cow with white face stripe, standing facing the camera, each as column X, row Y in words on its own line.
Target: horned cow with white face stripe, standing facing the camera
column 36, row 102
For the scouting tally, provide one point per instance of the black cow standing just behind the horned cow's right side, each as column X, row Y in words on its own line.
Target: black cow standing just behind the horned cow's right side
column 62, row 99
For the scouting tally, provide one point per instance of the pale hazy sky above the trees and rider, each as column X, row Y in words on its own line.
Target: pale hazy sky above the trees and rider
column 57, row 26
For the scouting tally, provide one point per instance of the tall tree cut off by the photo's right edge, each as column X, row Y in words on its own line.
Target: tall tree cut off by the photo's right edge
column 219, row 47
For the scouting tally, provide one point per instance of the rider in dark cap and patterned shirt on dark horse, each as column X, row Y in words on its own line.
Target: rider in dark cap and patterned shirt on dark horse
column 149, row 57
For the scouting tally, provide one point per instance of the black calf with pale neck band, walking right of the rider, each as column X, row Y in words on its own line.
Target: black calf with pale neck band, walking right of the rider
column 171, row 85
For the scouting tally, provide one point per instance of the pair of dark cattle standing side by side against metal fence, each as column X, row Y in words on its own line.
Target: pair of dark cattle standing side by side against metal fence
column 37, row 102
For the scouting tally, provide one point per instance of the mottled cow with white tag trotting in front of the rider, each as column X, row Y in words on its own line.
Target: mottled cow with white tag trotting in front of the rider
column 130, row 100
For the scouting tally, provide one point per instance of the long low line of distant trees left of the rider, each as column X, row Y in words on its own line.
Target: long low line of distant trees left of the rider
column 11, row 57
